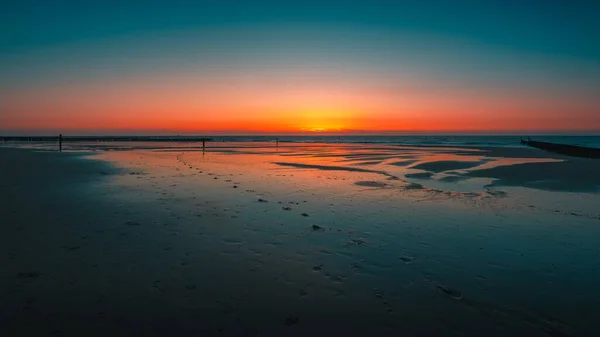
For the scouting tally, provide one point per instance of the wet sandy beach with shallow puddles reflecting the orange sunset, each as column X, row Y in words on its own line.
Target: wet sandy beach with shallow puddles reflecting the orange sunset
column 253, row 239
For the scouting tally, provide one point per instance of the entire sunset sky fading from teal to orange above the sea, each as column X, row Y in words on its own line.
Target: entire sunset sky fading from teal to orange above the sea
column 298, row 67
